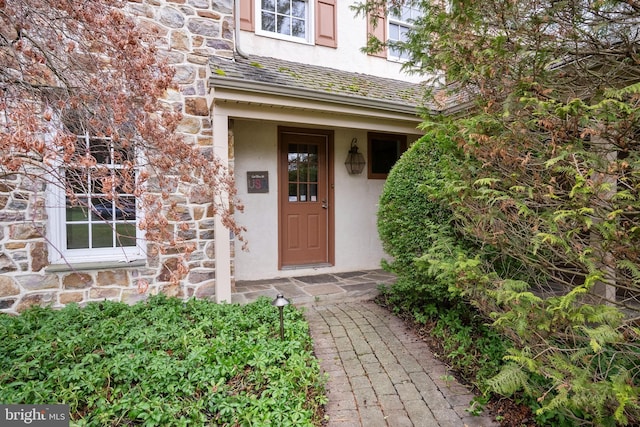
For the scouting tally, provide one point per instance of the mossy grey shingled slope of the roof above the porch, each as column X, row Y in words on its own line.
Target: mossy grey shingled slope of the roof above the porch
column 270, row 75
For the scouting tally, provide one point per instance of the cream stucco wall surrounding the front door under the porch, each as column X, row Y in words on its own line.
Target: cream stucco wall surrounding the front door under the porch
column 357, row 245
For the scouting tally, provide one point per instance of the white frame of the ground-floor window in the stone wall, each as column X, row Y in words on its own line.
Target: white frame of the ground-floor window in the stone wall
column 55, row 199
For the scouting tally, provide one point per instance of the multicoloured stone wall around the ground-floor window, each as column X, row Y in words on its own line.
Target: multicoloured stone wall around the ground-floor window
column 190, row 31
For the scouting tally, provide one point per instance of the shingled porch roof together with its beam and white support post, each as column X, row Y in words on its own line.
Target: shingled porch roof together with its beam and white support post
column 258, row 88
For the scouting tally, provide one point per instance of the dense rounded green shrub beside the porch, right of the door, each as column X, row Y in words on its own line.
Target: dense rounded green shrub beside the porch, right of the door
column 412, row 218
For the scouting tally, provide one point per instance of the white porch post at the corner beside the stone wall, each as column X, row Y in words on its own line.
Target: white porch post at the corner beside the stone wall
column 222, row 241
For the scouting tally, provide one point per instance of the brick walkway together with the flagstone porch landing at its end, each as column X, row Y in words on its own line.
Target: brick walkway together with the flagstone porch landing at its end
column 380, row 372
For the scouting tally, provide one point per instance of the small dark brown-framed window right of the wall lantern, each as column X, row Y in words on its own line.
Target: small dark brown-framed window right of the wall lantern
column 383, row 152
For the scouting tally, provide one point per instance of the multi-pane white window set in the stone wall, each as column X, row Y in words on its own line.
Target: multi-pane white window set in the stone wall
column 93, row 215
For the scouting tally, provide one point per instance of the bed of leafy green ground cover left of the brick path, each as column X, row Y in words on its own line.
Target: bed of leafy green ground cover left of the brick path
column 164, row 362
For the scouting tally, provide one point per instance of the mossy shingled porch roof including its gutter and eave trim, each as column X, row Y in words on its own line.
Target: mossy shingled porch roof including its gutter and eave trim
column 268, row 82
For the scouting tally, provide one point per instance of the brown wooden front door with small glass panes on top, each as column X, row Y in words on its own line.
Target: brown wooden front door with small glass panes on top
column 304, row 196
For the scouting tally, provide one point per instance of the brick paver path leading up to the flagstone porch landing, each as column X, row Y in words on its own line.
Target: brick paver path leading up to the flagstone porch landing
column 381, row 373
